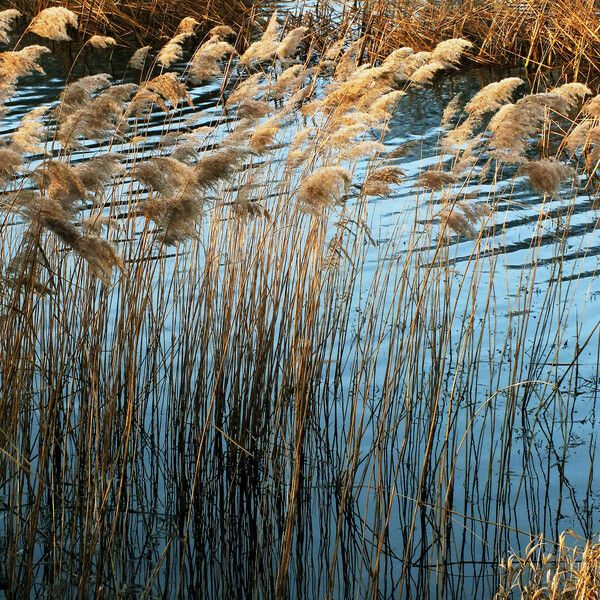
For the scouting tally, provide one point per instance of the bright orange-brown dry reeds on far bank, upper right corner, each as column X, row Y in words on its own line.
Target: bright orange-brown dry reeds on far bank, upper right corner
column 537, row 34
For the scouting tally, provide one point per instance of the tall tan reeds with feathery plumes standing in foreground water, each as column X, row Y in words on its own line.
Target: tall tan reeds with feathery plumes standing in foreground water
column 207, row 384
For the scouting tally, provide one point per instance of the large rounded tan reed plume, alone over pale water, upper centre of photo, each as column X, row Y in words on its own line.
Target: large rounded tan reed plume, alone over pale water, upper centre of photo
column 322, row 188
